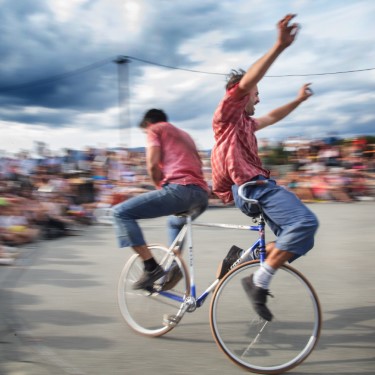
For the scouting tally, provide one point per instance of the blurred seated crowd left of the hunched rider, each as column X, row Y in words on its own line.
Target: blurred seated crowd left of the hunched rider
column 44, row 198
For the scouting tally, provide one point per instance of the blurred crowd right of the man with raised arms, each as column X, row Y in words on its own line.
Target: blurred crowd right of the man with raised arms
column 327, row 170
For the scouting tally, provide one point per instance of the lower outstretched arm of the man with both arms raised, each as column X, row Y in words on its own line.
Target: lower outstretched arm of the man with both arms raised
column 279, row 113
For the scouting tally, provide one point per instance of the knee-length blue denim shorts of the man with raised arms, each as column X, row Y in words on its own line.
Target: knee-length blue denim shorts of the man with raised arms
column 290, row 220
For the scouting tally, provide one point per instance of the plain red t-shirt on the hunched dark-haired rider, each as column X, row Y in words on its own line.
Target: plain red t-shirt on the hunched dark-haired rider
column 180, row 161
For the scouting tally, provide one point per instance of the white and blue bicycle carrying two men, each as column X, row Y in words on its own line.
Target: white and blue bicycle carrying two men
column 249, row 341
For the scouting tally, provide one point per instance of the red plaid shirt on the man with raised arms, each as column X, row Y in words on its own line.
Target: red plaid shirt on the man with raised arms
column 234, row 157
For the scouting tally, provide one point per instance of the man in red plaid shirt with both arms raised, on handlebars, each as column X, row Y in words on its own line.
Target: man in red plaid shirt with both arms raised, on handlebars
column 235, row 161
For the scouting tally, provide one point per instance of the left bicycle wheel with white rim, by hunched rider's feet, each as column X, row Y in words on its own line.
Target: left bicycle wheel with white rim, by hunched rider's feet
column 143, row 310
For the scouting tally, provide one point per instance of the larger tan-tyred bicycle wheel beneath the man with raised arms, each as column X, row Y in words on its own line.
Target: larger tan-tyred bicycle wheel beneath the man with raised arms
column 255, row 344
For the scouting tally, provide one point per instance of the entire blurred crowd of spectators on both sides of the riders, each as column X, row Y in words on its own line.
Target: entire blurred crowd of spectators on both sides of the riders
column 47, row 197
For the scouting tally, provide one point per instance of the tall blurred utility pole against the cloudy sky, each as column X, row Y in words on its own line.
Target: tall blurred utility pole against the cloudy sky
column 123, row 100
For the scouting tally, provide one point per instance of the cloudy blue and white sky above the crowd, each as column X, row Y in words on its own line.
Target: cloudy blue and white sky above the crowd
column 59, row 83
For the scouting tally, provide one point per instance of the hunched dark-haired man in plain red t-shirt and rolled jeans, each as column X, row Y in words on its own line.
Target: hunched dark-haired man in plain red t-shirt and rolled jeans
column 175, row 167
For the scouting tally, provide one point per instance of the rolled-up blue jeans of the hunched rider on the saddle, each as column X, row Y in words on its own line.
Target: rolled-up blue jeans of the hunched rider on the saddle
column 172, row 199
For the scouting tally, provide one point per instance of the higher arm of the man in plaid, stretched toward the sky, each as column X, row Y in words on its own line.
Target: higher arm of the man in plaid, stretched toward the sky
column 286, row 36
